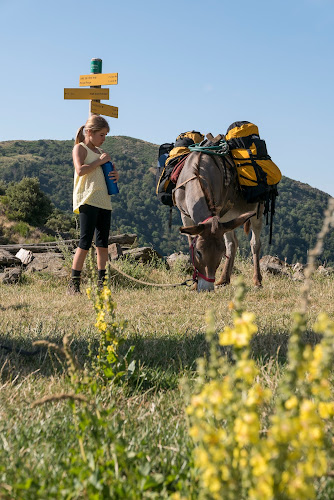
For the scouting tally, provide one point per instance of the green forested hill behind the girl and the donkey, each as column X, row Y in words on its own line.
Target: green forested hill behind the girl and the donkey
column 299, row 207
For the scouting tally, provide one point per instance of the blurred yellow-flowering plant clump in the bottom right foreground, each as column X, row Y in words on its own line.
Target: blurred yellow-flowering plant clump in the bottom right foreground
column 239, row 453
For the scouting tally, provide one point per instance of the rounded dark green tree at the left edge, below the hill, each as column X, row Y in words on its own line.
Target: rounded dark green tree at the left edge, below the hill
column 25, row 201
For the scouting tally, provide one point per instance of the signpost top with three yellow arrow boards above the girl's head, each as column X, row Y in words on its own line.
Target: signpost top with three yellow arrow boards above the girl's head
column 95, row 93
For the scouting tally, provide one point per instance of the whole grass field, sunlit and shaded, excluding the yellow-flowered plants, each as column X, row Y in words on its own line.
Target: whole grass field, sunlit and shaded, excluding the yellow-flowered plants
column 138, row 446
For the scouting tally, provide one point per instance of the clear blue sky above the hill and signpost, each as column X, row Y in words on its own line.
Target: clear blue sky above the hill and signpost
column 182, row 65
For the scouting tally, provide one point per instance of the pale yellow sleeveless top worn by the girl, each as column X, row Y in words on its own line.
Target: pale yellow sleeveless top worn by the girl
column 90, row 189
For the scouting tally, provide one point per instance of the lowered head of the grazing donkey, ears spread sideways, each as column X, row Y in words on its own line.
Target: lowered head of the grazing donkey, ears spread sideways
column 208, row 247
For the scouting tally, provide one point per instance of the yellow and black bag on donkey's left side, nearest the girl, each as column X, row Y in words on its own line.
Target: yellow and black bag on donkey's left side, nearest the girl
column 169, row 156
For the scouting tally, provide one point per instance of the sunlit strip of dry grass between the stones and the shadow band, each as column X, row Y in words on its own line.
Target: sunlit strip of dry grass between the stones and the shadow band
column 42, row 307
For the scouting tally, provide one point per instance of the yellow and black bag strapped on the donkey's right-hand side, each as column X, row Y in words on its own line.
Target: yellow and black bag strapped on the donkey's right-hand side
column 258, row 175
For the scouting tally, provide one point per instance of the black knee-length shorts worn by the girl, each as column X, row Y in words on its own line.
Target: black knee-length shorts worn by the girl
column 94, row 219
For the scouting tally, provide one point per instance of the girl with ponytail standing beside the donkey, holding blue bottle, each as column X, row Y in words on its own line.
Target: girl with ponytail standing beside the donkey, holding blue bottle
column 90, row 196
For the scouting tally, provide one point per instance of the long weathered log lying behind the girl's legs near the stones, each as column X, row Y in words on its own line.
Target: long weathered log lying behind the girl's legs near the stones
column 55, row 246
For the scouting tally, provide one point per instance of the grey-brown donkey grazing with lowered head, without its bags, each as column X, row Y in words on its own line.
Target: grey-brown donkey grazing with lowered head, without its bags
column 209, row 199
